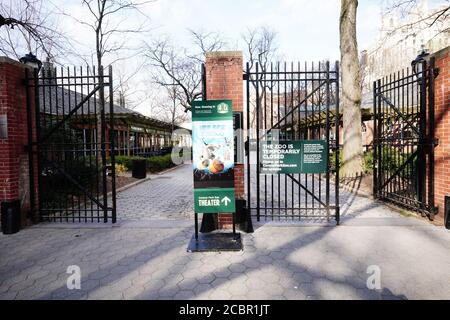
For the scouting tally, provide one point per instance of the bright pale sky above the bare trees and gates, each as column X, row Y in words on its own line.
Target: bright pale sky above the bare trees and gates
column 307, row 30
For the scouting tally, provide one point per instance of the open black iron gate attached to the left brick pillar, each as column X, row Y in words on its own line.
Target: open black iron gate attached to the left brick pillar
column 74, row 144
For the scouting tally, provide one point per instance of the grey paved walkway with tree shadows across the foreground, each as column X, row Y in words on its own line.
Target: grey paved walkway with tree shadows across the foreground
column 144, row 255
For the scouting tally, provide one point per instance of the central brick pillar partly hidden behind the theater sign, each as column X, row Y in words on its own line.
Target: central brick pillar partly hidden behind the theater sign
column 224, row 71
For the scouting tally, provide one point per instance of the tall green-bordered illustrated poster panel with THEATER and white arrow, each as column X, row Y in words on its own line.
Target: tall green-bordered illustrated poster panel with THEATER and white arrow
column 213, row 155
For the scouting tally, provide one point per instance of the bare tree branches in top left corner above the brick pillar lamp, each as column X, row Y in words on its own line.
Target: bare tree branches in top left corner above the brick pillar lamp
column 29, row 25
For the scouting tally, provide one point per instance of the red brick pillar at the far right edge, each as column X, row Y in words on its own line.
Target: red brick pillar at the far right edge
column 442, row 131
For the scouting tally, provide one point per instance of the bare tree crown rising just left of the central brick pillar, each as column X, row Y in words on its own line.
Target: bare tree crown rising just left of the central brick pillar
column 182, row 71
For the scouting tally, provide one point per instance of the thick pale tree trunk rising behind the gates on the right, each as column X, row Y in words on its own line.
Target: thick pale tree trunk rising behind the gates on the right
column 352, row 153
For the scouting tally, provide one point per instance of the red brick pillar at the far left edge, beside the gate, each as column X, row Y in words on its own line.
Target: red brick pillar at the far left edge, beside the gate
column 14, row 168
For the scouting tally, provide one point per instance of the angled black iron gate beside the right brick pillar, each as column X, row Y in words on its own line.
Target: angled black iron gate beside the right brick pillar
column 404, row 138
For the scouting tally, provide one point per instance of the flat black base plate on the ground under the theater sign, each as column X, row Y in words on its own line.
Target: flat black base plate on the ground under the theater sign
column 216, row 242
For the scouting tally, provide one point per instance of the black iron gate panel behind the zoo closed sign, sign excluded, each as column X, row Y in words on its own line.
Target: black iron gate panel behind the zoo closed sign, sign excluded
column 299, row 102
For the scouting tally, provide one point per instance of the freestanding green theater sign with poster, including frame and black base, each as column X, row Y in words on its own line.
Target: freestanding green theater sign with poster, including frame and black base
column 213, row 170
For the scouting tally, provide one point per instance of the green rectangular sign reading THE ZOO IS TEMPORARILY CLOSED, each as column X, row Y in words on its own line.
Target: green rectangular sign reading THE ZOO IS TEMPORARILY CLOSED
column 284, row 157
